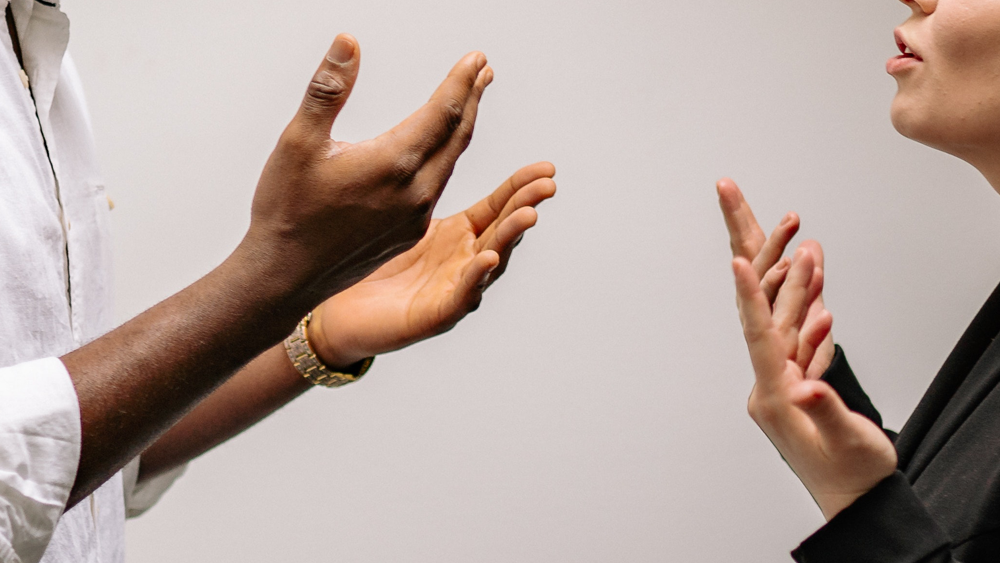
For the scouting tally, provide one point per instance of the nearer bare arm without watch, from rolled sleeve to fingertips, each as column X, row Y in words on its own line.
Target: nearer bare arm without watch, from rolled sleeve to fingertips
column 326, row 214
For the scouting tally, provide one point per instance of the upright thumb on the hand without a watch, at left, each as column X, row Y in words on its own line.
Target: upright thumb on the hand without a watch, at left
column 330, row 87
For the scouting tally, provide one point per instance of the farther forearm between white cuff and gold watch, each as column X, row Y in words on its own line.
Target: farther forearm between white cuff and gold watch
column 265, row 385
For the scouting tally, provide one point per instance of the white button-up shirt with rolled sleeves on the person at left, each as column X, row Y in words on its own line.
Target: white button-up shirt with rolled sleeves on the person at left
column 55, row 296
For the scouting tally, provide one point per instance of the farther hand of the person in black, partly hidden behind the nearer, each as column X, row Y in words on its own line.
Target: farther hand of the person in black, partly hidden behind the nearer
column 748, row 241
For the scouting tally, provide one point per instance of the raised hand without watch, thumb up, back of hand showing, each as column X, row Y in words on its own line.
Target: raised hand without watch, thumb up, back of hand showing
column 326, row 213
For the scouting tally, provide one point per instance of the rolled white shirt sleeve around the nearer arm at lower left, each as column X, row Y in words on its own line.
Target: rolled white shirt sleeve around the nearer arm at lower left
column 40, row 439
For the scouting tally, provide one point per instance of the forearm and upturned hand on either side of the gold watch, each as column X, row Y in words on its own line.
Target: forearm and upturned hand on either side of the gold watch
column 419, row 294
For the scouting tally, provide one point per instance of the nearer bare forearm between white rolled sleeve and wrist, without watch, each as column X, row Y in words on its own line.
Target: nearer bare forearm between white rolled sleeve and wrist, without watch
column 136, row 382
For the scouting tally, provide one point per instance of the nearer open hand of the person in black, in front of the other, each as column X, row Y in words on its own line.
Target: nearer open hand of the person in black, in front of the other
column 838, row 455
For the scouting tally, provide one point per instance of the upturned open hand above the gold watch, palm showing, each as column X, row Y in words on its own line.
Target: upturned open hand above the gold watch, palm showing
column 431, row 287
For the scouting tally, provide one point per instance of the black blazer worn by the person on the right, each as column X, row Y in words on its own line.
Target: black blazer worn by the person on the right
column 943, row 503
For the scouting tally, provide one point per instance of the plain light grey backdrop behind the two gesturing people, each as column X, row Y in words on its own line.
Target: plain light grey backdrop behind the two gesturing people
column 594, row 408
